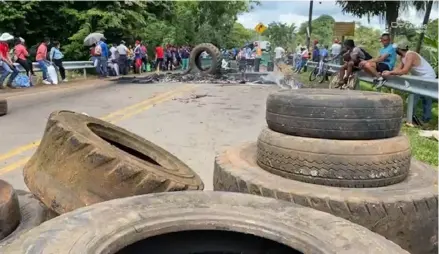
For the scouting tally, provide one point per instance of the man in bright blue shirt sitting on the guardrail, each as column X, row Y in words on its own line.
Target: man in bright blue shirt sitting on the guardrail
column 384, row 62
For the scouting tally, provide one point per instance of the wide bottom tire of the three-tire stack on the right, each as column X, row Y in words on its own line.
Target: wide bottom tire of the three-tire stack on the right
column 405, row 213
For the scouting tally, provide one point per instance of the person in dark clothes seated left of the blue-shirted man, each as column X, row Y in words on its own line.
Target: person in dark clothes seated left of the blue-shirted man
column 353, row 56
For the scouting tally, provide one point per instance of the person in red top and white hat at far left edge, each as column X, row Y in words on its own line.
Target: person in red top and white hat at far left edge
column 6, row 63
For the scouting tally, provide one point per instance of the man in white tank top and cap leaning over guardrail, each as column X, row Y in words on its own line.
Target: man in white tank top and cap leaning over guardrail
column 416, row 65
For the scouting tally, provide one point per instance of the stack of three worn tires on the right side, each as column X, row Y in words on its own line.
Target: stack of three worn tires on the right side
column 340, row 152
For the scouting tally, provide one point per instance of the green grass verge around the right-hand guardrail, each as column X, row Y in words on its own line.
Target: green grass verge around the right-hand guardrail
column 423, row 149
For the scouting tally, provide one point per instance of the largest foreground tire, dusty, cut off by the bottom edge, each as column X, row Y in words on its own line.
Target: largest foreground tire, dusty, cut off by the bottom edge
column 110, row 226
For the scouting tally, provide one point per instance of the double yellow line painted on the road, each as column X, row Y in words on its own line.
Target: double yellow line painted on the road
column 142, row 106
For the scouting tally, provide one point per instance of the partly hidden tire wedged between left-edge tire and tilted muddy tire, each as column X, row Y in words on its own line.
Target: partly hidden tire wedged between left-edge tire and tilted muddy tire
column 33, row 213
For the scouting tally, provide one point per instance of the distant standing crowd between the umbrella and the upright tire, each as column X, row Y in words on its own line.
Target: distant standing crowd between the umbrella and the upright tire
column 115, row 60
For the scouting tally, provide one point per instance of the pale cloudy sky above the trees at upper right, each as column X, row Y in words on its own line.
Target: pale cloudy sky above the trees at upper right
column 297, row 12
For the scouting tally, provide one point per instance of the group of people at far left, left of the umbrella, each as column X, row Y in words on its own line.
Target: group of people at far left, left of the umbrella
column 20, row 54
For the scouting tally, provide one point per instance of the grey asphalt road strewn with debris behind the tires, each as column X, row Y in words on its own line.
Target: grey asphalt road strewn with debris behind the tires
column 169, row 114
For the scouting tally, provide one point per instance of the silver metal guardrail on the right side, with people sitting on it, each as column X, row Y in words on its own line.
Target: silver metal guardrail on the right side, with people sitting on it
column 410, row 84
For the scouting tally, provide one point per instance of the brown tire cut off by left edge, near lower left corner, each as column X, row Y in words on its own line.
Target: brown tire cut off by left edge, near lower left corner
column 9, row 210
